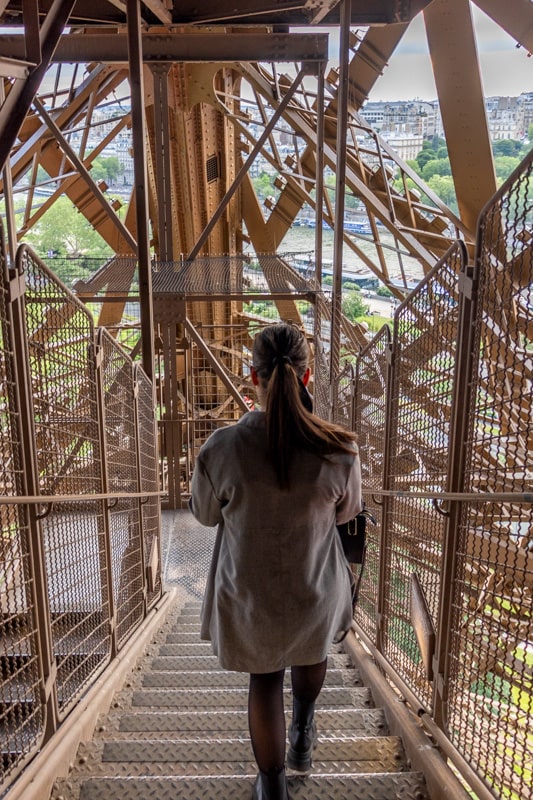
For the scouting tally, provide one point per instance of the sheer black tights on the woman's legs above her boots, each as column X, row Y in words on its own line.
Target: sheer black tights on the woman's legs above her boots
column 266, row 715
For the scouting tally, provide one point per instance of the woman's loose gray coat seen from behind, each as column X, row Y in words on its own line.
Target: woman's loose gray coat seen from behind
column 278, row 590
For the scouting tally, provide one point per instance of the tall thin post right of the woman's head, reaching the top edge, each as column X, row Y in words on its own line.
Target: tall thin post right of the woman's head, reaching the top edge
column 340, row 187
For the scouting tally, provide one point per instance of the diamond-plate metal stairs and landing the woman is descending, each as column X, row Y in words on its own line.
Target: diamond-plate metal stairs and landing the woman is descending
column 178, row 727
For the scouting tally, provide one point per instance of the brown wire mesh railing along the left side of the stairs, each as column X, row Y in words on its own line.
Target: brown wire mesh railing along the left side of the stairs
column 79, row 504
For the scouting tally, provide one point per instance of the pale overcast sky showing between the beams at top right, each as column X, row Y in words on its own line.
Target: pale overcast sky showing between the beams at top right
column 506, row 70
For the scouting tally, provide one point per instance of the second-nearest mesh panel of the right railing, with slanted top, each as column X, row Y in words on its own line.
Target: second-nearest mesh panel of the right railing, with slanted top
column 424, row 354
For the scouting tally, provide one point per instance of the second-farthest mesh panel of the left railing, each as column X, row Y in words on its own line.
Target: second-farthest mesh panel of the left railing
column 122, row 477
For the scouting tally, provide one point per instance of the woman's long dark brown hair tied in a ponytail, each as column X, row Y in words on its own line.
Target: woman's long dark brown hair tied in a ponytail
column 281, row 358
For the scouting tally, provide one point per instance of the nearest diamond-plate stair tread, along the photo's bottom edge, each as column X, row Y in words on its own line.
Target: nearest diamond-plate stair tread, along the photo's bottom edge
column 395, row 786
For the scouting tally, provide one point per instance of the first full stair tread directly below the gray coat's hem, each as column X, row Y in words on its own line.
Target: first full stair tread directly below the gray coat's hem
column 224, row 679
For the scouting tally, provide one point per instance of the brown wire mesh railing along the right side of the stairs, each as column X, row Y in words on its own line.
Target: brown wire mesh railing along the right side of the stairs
column 445, row 422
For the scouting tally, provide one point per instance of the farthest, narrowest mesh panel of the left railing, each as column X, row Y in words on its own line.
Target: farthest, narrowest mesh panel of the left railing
column 149, row 482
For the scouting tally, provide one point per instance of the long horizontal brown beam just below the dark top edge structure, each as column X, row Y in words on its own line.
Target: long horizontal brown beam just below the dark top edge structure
column 112, row 48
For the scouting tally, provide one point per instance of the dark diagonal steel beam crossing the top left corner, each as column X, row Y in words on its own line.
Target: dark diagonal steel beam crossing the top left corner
column 20, row 97
